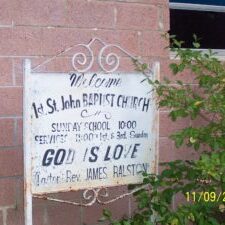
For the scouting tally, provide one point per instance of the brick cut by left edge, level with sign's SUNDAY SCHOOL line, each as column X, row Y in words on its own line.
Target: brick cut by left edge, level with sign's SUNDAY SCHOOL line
column 7, row 132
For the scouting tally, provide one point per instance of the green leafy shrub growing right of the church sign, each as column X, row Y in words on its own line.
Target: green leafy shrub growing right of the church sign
column 201, row 182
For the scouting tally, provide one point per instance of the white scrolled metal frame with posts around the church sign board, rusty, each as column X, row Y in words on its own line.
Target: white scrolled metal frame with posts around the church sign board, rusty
column 111, row 59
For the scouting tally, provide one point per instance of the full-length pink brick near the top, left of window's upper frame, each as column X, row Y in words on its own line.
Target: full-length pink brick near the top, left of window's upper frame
column 137, row 16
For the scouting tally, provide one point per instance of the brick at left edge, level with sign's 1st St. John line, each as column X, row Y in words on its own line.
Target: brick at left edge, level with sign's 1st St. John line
column 10, row 101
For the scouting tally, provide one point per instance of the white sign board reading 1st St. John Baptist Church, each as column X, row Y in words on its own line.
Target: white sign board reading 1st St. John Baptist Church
column 88, row 130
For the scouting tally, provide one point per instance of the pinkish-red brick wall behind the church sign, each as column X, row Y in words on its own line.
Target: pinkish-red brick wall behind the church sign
column 39, row 29
